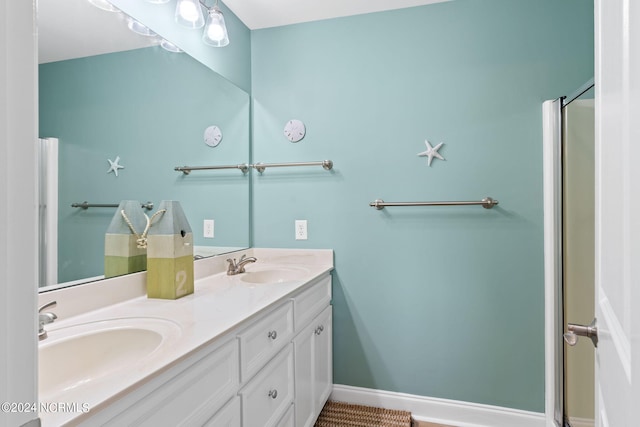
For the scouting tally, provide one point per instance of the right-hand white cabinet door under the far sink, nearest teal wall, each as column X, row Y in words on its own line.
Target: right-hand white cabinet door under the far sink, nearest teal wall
column 322, row 360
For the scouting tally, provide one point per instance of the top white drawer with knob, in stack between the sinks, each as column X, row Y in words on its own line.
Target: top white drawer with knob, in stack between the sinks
column 263, row 339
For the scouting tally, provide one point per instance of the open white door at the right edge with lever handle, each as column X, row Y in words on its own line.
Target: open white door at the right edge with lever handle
column 617, row 258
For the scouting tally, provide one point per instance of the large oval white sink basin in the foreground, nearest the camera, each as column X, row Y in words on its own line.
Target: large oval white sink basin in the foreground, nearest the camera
column 73, row 356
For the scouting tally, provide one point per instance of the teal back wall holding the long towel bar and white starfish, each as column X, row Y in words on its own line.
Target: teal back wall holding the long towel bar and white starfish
column 444, row 302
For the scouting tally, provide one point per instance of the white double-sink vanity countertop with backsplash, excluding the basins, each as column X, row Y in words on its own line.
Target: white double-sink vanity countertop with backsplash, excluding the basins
column 219, row 304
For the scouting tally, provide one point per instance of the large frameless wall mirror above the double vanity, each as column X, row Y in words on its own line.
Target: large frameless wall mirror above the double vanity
column 125, row 99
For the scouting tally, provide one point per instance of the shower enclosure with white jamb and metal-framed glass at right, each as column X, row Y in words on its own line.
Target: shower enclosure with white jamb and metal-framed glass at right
column 569, row 139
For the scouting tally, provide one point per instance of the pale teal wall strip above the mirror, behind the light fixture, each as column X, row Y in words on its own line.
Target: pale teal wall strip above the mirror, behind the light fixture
column 232, row 62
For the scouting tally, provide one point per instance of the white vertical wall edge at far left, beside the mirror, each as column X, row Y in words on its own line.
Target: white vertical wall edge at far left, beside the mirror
column 18, row 209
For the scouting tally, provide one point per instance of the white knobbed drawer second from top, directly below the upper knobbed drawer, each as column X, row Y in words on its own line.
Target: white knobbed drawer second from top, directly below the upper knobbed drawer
column 267, row 396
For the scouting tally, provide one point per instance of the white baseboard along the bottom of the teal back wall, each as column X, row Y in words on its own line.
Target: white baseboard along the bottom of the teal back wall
column 442, row 411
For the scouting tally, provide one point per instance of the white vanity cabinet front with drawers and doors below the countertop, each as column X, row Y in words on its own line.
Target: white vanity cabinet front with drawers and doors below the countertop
column 274, row 369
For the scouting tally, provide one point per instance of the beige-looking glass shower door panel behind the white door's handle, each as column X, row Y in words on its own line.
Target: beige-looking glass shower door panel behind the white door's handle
column 578, row 140
